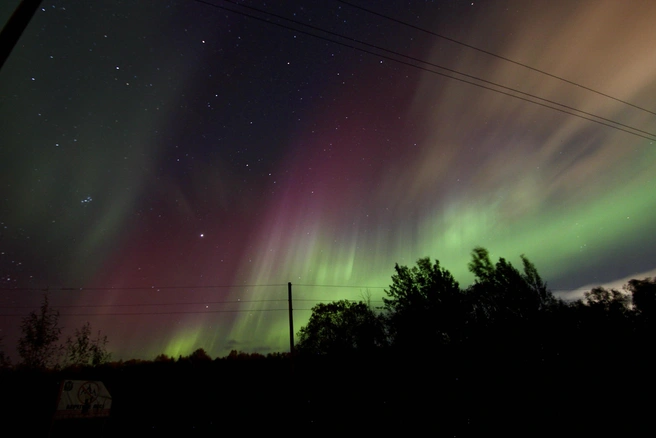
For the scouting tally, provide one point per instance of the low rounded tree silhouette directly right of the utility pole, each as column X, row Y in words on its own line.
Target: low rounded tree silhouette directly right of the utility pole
column 342, row 327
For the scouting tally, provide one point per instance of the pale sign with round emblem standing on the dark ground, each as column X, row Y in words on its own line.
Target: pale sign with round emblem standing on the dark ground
column 83, row 399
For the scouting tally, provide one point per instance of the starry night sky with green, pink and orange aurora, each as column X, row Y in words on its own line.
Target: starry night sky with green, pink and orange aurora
column 196, row 160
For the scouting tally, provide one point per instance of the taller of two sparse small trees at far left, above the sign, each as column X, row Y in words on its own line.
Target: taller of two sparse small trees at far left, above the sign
column 38, row 346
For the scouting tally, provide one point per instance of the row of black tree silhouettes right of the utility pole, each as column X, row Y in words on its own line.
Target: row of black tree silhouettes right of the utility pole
column 425, row 310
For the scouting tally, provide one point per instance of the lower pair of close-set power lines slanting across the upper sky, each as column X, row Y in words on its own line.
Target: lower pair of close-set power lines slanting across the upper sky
column 652, row 138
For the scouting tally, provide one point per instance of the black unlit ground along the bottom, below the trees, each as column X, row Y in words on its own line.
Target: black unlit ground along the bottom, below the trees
column 596, row 392
